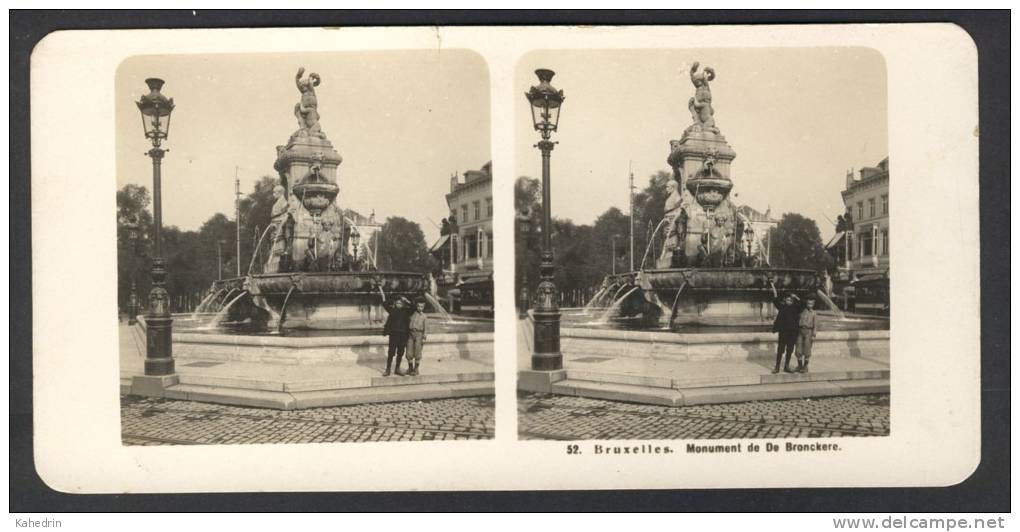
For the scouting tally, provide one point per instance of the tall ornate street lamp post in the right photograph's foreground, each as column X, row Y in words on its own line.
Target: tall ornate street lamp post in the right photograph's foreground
column 546, row 103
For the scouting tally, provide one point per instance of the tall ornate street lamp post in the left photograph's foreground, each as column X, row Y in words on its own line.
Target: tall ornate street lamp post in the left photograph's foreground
column 156, row 110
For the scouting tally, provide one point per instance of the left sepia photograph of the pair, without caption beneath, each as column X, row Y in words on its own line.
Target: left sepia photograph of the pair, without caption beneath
column 304, row 248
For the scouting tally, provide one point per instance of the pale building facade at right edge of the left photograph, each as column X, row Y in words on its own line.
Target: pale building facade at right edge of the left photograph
column 466, row 246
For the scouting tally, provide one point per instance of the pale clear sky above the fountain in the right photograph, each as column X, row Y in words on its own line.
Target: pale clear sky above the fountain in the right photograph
column 798, row 119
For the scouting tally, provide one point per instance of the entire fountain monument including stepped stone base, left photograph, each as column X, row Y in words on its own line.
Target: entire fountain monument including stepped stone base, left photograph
column 246, row 344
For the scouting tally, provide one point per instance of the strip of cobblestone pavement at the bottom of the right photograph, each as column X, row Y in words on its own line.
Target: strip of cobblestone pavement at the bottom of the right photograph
column 544, row 416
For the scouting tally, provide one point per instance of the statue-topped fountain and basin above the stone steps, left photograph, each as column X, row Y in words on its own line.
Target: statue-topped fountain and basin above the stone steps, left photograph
column 307, row 271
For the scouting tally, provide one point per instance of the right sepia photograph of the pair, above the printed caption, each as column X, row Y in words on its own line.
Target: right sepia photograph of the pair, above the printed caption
column 702, row 243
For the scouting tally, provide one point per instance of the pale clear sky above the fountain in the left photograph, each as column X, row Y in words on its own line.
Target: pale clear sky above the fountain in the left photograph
column 402, row 121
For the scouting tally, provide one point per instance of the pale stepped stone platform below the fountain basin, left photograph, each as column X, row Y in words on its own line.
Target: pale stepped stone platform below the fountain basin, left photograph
column 265, row 373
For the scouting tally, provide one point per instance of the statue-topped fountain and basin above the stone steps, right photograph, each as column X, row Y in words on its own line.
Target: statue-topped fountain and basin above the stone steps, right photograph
column 703, row 276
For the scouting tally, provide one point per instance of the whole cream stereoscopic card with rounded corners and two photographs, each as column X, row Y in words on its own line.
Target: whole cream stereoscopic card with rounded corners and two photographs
column 505, row 258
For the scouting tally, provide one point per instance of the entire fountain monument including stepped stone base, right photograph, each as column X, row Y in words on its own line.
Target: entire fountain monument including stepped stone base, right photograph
column 692, row 326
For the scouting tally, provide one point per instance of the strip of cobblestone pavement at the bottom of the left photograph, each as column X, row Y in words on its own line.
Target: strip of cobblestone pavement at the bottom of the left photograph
column 146, row 421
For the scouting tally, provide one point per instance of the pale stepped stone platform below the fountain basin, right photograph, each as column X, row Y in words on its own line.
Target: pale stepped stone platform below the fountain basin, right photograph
column 673, row 369
